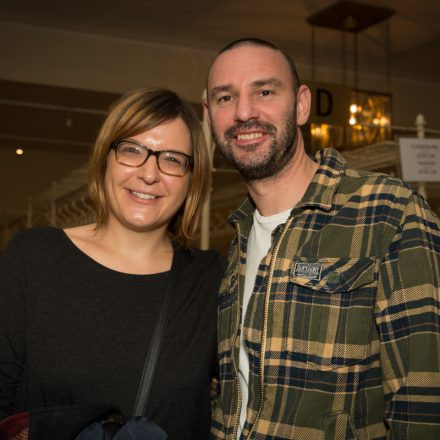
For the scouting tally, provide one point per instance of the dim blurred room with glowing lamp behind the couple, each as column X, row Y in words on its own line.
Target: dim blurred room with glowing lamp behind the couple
column 373, row 67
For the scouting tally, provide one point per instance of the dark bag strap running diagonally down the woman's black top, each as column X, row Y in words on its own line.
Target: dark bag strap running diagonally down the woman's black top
column 153, row 352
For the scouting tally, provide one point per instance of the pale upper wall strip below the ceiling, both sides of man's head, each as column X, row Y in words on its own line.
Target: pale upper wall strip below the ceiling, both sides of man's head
column 62, row 58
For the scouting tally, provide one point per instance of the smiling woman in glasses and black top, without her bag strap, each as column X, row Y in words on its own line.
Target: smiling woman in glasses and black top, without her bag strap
column 78, row 306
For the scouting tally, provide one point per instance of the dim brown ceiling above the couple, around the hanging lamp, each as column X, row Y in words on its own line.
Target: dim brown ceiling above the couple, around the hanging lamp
column 209, row 24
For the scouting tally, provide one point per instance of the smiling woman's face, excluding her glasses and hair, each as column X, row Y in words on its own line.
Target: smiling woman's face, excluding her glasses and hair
column 144, row 198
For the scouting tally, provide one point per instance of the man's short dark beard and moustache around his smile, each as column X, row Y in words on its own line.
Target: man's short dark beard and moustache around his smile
column 271, row 163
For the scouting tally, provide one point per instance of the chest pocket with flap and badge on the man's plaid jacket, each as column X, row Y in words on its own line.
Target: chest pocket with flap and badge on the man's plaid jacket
column 334, row 300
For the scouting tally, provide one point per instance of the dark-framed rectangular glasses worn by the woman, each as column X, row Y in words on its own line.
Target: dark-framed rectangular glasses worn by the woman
column 134, row 154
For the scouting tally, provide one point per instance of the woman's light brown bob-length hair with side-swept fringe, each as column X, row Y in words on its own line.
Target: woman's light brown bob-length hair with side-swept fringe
column 139, row 111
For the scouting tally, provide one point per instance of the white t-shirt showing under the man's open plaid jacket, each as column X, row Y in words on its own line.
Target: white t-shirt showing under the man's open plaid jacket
column 260, row 239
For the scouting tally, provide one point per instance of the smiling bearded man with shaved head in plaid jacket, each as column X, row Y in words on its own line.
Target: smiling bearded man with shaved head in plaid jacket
column 329, row 310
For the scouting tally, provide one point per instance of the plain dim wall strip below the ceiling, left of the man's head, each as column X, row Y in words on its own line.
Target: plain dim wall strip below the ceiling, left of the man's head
column 61, row 58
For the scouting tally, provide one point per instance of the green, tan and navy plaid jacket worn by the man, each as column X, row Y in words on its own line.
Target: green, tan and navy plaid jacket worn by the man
column 342, row 329
